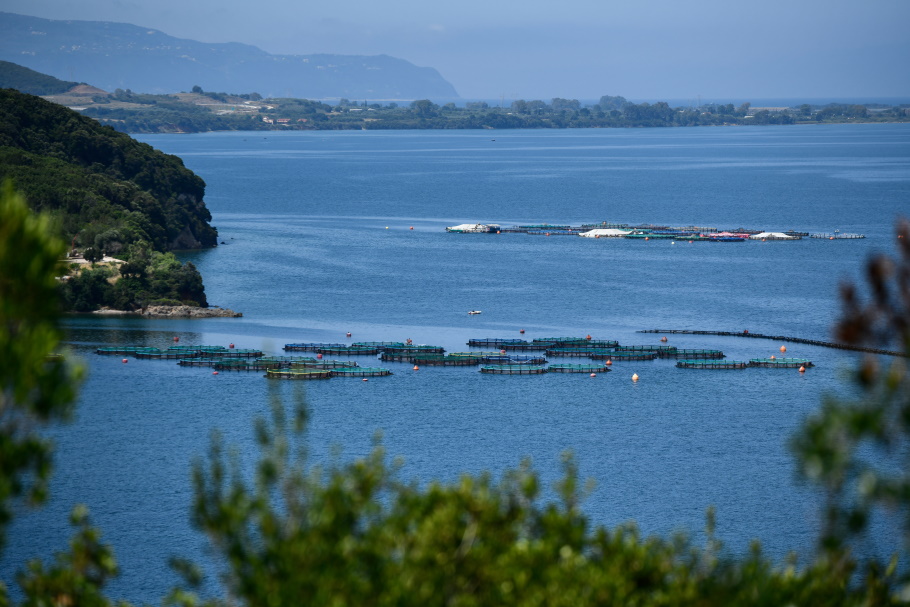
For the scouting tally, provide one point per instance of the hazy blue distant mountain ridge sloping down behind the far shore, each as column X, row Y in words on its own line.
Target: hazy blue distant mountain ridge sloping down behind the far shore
column 118, row 55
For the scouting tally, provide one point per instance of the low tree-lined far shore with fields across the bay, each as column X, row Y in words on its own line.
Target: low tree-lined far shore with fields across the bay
column 203, row 111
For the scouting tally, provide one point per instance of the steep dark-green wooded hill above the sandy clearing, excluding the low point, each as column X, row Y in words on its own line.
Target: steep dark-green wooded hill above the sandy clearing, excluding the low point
column 106, row 189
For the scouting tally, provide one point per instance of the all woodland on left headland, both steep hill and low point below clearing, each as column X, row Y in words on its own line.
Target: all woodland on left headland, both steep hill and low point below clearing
column 107, row 194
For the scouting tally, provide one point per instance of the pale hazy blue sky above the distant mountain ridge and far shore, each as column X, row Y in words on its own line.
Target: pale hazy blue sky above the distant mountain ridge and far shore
column 536, row 49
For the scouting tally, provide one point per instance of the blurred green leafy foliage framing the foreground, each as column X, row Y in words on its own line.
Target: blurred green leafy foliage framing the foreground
column 354, row 533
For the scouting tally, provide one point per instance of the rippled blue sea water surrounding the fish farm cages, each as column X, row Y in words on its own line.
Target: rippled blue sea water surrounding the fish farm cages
column 326, row 233
